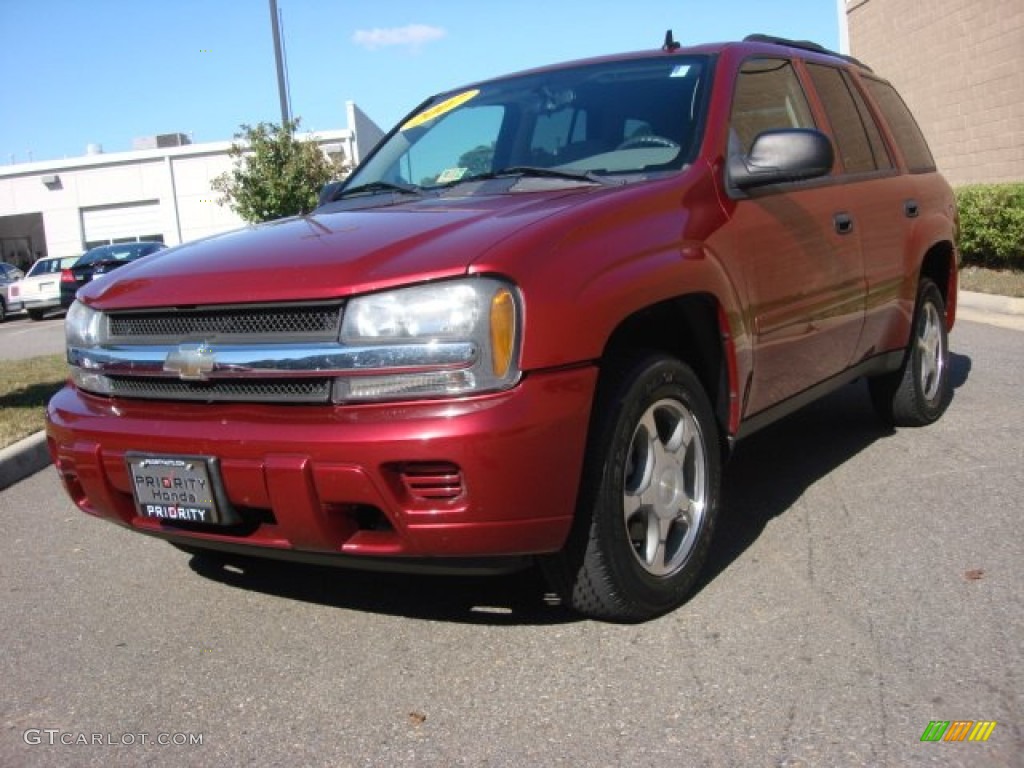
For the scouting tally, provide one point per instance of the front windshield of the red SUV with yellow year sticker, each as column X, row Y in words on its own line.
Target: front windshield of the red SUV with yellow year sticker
column 634, row 117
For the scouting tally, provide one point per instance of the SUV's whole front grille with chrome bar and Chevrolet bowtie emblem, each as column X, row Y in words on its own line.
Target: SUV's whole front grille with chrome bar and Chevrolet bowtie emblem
column 287, row 354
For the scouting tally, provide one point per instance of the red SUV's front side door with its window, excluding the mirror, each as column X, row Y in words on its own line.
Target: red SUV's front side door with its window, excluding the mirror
column 798, row 247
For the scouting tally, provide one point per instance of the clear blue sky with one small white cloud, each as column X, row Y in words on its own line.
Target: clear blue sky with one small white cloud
column 79, row 72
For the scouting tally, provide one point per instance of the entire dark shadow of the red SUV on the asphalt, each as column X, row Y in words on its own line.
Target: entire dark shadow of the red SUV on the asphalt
column 769, row 474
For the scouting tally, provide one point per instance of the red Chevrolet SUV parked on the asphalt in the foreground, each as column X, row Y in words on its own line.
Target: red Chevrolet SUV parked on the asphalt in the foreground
column 529, row 328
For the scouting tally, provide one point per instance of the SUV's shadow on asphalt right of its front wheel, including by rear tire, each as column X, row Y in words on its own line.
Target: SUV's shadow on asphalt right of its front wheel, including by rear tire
column 772, row 470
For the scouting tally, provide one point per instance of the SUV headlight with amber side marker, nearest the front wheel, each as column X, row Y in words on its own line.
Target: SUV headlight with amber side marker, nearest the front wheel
column 473, row 325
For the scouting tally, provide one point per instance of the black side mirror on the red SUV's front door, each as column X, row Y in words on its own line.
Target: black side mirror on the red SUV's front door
column 791, row 155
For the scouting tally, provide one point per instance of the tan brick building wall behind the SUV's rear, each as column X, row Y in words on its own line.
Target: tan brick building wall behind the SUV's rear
column 960, row 66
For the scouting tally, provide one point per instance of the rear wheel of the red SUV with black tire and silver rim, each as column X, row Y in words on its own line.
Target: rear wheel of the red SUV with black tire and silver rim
column 919, row 394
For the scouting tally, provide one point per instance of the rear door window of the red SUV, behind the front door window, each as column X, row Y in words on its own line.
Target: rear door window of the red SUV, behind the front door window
column 858, row 138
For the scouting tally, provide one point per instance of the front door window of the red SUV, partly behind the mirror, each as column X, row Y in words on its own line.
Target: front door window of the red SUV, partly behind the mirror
column 769, row 98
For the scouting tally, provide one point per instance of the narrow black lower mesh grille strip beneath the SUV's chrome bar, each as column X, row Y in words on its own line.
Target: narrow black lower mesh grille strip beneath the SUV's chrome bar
column 238, row 391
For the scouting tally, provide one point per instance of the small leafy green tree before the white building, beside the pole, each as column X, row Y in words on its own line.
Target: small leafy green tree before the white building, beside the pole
column 275, row 174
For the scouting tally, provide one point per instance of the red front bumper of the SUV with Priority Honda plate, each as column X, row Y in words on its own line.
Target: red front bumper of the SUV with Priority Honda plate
column 432, row 484
